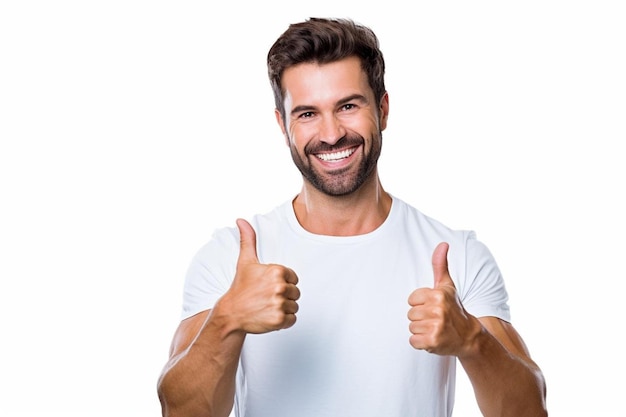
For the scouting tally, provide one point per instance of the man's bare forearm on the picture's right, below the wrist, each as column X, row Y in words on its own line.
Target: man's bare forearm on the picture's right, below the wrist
column 505, row 384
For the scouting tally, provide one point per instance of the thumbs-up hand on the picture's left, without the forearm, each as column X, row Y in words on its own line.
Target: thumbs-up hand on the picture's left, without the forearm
column 262, row 298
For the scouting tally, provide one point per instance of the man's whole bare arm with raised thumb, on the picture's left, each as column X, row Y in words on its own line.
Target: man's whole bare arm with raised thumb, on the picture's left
column 199, row 377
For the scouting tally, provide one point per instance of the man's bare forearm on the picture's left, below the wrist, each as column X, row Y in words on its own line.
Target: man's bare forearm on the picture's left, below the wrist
column 200, row 380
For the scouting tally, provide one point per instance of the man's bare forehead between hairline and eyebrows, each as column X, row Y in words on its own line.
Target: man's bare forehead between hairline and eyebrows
column 310, row 83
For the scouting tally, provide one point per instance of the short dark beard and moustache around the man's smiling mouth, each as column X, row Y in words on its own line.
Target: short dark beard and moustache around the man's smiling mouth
column 342, row 181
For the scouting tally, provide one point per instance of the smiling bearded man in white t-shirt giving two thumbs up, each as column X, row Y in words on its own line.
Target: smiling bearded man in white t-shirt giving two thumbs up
column 345, row 256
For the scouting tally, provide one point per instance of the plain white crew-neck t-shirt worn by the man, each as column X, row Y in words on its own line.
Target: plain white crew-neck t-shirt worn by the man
column 348, row 353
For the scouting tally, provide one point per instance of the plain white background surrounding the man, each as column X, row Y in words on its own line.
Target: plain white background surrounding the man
column 131, row 129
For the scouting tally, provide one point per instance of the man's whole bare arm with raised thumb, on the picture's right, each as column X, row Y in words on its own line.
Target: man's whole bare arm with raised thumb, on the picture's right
column 506, row 381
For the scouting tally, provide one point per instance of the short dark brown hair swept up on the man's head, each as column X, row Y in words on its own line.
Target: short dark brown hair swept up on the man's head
column 324, row 41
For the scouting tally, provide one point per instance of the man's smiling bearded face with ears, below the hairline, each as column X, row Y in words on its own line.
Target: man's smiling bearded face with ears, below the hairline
column 333, row 125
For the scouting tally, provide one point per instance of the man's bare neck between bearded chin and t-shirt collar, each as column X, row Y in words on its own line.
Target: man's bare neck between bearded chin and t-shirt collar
column 358, row 213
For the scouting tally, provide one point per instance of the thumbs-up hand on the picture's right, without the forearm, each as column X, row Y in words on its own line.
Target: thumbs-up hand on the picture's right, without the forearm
column 438, row 322
